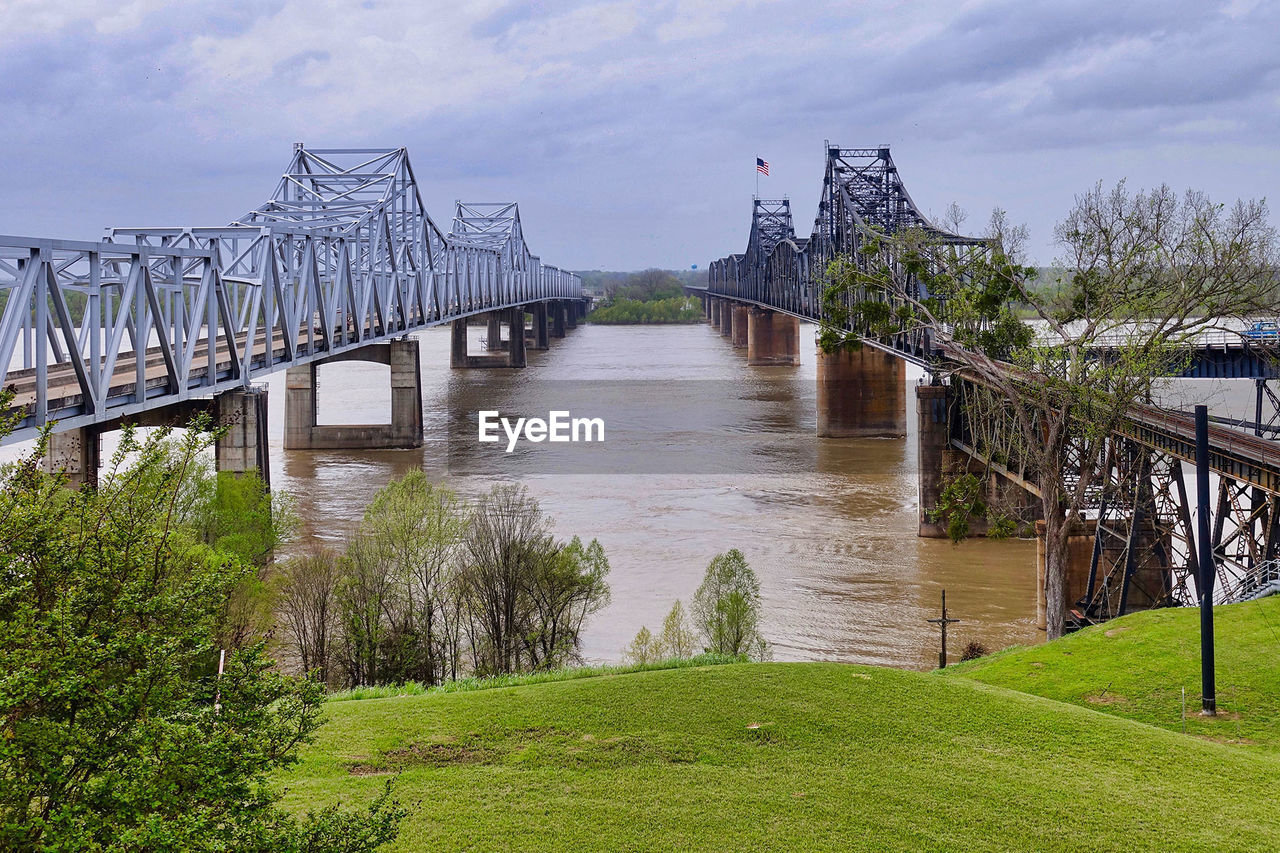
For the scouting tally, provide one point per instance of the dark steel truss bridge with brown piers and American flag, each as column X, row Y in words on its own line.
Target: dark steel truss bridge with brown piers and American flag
column 1139, row 550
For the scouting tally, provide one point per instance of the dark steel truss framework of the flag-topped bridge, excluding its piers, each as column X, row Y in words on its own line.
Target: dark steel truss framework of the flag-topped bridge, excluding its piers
column 1142, row 536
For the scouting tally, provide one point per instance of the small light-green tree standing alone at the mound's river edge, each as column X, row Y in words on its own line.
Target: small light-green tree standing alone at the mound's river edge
column 728, row 608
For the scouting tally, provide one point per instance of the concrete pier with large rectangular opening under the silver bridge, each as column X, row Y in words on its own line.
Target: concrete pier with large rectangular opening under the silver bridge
column 301, row 431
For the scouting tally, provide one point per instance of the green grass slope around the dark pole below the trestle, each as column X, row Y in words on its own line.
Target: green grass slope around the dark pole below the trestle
column 1137, row 668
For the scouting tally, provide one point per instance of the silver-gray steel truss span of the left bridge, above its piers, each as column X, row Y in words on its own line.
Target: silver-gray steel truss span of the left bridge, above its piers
column 342, row 256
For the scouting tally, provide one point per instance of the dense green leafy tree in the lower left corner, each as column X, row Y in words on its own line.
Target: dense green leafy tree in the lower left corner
column 116, row 732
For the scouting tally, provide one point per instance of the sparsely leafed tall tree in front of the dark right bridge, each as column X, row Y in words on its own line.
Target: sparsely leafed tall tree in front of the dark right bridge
column 1144, row 276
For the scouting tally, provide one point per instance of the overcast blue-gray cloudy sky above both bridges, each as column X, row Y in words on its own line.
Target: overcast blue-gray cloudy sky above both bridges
column 629, row 131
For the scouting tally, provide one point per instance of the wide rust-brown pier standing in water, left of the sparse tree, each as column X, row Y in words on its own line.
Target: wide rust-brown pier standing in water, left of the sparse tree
column 862, row 394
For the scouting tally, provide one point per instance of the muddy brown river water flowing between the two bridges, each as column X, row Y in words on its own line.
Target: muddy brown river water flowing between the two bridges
column 828, row 524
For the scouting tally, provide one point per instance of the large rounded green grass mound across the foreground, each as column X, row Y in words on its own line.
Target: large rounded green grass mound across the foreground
column 785, row 758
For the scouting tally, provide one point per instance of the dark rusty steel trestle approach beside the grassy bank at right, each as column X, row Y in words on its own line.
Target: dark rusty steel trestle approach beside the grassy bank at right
column 1140, row 512
